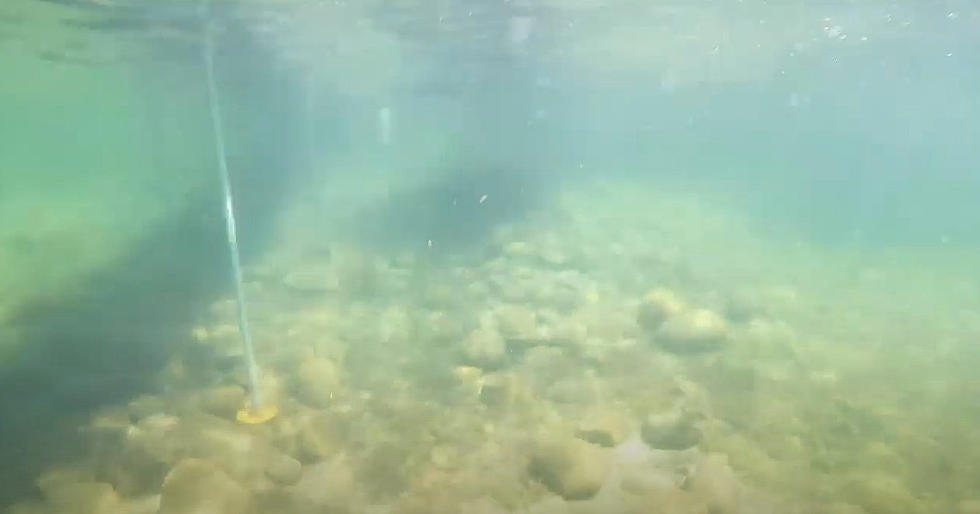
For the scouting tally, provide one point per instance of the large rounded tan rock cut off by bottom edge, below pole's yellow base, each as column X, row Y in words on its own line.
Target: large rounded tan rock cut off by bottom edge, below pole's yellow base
column 199, row 487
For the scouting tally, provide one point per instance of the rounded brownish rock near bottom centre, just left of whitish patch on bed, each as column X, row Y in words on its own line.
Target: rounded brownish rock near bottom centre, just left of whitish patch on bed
column 569, row 467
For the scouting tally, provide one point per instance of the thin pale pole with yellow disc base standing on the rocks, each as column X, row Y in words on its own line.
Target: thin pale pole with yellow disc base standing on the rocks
column 255, row 411
